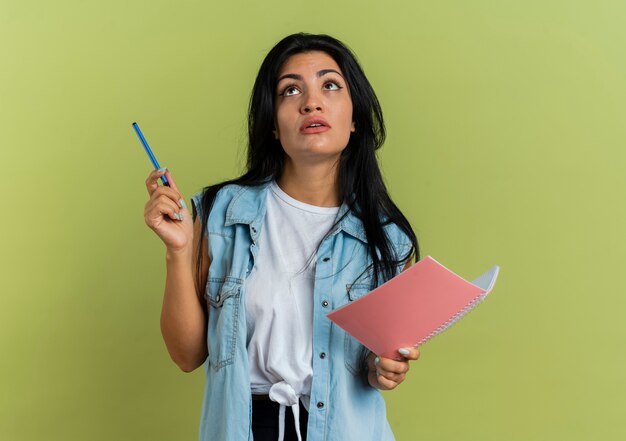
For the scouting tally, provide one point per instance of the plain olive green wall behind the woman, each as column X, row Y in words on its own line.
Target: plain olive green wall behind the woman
column 506, row 146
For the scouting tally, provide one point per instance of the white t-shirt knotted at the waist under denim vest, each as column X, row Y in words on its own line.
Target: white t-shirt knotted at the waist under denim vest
column 279, row 298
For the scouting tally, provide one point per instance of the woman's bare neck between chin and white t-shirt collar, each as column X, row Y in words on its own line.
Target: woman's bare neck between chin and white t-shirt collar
column 314, row 184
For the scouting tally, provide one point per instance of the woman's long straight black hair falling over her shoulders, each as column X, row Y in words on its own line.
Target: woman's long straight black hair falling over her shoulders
column 361, row 185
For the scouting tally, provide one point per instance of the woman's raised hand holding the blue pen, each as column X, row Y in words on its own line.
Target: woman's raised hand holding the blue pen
column 166, row 213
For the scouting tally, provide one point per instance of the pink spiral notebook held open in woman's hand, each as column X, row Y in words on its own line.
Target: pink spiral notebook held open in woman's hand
column 413, row 307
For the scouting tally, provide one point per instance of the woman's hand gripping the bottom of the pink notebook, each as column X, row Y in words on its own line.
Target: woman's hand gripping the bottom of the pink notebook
column 387, row 373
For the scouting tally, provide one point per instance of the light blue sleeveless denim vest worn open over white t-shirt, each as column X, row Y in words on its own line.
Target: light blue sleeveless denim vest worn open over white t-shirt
column 343, row 405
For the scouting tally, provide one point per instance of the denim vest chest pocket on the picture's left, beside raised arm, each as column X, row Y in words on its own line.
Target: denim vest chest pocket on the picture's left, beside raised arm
column 224, row 298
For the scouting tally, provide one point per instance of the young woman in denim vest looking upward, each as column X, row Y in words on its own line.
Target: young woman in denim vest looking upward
column 308, row 228
